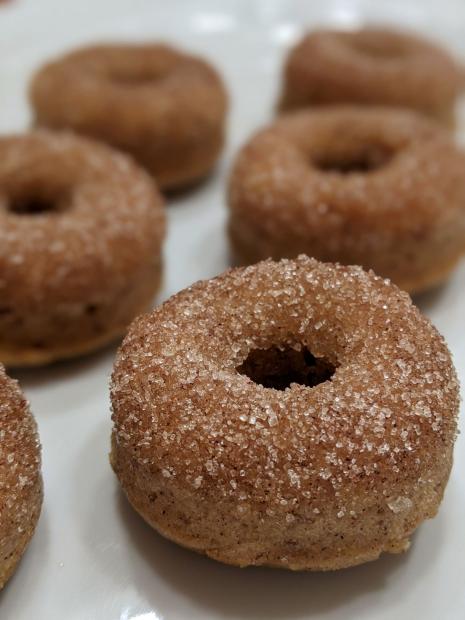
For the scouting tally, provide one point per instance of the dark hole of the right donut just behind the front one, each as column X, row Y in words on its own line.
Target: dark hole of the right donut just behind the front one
column 362, row 162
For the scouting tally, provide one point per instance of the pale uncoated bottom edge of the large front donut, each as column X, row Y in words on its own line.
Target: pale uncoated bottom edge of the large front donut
column 260, row 552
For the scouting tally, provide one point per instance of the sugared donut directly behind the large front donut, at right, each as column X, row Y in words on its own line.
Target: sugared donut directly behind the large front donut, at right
column 379, row 187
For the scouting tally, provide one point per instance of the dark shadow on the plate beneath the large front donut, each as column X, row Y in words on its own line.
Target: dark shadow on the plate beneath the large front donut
column 226, row 591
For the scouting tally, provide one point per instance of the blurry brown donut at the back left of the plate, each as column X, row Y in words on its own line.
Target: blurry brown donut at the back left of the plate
column 164, row 107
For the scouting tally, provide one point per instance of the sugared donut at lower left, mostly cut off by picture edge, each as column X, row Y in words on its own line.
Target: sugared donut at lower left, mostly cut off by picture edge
column 20, row 476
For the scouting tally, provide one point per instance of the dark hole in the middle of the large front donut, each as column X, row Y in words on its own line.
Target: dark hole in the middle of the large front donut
column 278, row 367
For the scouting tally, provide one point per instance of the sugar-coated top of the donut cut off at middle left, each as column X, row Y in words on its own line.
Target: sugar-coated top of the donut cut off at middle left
column 72, row 212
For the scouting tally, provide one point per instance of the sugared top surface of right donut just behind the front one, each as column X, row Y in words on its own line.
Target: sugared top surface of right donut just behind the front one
column 389, row 171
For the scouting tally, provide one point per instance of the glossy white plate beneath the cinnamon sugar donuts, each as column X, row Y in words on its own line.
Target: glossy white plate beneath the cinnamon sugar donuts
column 92, row 557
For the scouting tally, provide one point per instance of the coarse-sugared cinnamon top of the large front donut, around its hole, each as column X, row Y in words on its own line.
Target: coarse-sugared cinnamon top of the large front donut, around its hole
column 182, row 408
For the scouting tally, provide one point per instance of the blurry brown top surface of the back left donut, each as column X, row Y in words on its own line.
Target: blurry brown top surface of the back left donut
column 148, row 88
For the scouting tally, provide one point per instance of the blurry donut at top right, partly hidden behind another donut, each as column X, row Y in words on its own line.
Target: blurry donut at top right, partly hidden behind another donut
column 372, row 66
